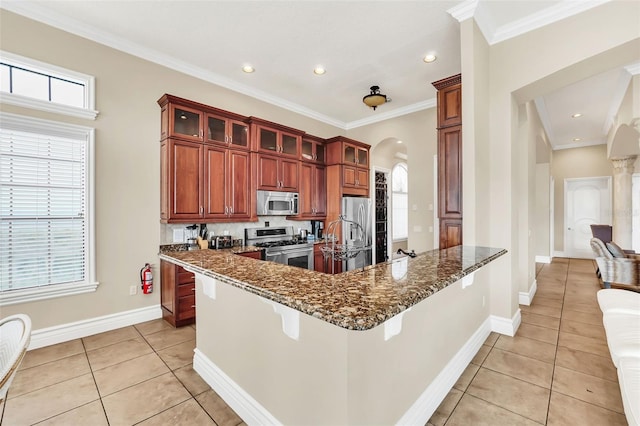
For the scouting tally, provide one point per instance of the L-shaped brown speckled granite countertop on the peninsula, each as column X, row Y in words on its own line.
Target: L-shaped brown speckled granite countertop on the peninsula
column 355, row 300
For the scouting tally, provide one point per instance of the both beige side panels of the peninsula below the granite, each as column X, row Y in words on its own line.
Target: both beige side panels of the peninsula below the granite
column 332, row 375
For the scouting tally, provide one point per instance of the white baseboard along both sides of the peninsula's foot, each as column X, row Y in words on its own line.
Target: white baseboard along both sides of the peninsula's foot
column 253, row 413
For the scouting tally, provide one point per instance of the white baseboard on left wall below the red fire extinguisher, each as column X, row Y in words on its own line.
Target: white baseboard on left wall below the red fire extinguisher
column 75, row 330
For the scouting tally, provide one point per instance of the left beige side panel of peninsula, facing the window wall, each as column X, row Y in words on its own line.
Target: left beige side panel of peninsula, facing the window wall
column 297, row 382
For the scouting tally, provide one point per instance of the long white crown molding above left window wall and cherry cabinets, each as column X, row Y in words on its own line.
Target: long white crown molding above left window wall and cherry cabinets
column 78, row 28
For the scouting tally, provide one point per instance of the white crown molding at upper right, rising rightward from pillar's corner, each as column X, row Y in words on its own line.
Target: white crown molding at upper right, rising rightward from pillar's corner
column 557, row 12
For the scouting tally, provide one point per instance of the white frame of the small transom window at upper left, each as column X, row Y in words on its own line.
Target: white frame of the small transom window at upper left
column 88, row 112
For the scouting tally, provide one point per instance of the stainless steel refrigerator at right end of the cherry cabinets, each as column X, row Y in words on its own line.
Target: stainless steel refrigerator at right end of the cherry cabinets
column 357, row 209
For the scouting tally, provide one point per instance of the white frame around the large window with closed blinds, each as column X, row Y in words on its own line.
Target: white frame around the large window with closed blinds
column 90, row 283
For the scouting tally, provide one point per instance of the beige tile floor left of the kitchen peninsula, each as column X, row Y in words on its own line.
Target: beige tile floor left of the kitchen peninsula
column 140, row 374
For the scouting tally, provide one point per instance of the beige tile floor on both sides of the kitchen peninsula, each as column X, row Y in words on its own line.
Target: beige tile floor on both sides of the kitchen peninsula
column 555, row 371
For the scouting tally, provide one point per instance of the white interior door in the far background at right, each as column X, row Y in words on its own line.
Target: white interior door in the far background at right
column 587, row 202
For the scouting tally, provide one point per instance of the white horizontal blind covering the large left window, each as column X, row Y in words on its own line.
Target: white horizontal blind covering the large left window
column 43, row 206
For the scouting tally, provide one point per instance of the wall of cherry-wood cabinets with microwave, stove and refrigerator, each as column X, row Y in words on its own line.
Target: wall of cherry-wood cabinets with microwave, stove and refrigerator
column 249, row 173
